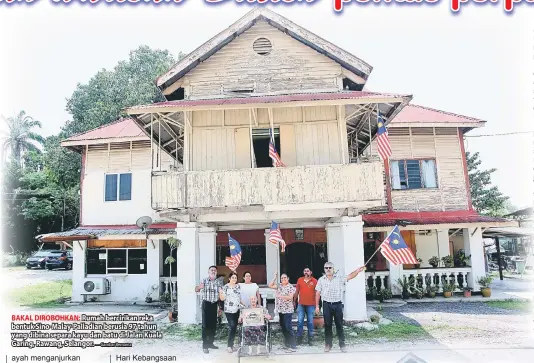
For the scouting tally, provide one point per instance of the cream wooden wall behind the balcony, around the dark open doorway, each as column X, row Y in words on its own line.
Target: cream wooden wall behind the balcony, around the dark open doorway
column 308, row 136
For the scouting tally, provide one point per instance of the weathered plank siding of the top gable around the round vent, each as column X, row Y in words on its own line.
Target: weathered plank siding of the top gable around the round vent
column 290, row 65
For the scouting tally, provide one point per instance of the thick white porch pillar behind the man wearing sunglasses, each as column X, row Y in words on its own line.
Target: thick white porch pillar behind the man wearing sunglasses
column 345, row 250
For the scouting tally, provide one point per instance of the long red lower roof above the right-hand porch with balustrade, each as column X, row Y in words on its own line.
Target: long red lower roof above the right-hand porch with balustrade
column 427, row 218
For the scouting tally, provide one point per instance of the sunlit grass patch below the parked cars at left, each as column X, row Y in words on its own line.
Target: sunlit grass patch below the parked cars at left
column 41, row 295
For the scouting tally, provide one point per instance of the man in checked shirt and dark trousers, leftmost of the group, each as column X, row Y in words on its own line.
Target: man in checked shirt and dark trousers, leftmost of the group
column 210, row 287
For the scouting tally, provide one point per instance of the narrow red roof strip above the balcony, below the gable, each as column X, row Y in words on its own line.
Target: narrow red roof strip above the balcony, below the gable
column 345, row 95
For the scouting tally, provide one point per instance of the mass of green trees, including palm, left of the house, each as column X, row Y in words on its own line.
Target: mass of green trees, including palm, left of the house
column 43, row 196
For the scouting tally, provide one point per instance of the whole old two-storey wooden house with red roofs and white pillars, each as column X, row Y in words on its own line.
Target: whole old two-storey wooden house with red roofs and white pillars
column 207, row 174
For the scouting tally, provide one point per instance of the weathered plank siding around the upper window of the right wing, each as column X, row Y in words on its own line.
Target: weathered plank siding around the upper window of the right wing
column 442, row 144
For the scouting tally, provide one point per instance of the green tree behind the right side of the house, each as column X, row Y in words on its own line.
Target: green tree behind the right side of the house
column 486, row 198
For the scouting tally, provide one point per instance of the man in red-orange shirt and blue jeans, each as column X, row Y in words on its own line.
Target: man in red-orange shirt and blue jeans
column 305, row 295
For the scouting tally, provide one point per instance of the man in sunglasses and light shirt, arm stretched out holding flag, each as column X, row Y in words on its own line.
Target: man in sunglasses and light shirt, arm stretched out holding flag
column 331, row 288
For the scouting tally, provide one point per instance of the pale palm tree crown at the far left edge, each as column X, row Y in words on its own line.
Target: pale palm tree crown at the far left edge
column 20, row 138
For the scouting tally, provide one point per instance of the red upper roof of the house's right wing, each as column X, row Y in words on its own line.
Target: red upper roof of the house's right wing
column 421, row 114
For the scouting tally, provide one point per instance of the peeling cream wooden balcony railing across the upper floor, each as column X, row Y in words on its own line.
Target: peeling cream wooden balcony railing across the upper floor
column 270, row 186
